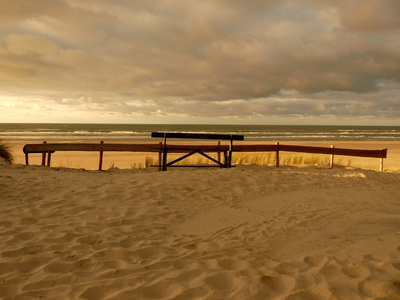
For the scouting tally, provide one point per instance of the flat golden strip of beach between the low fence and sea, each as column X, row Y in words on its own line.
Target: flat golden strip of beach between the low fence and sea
column 129, row 160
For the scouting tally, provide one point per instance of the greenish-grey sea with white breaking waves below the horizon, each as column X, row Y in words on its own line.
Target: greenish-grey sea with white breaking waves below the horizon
column 142, row 132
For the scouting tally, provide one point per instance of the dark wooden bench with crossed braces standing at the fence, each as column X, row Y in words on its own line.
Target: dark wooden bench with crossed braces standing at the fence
column 193, row 149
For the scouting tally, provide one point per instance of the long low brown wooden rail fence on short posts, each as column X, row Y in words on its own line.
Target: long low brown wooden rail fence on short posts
column 46, row 149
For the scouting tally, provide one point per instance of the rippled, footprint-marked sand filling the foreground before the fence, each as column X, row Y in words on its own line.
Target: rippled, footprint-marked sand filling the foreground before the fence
column 249, row 232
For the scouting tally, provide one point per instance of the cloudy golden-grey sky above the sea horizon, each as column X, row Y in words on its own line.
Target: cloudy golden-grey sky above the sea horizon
column 208, row 61
